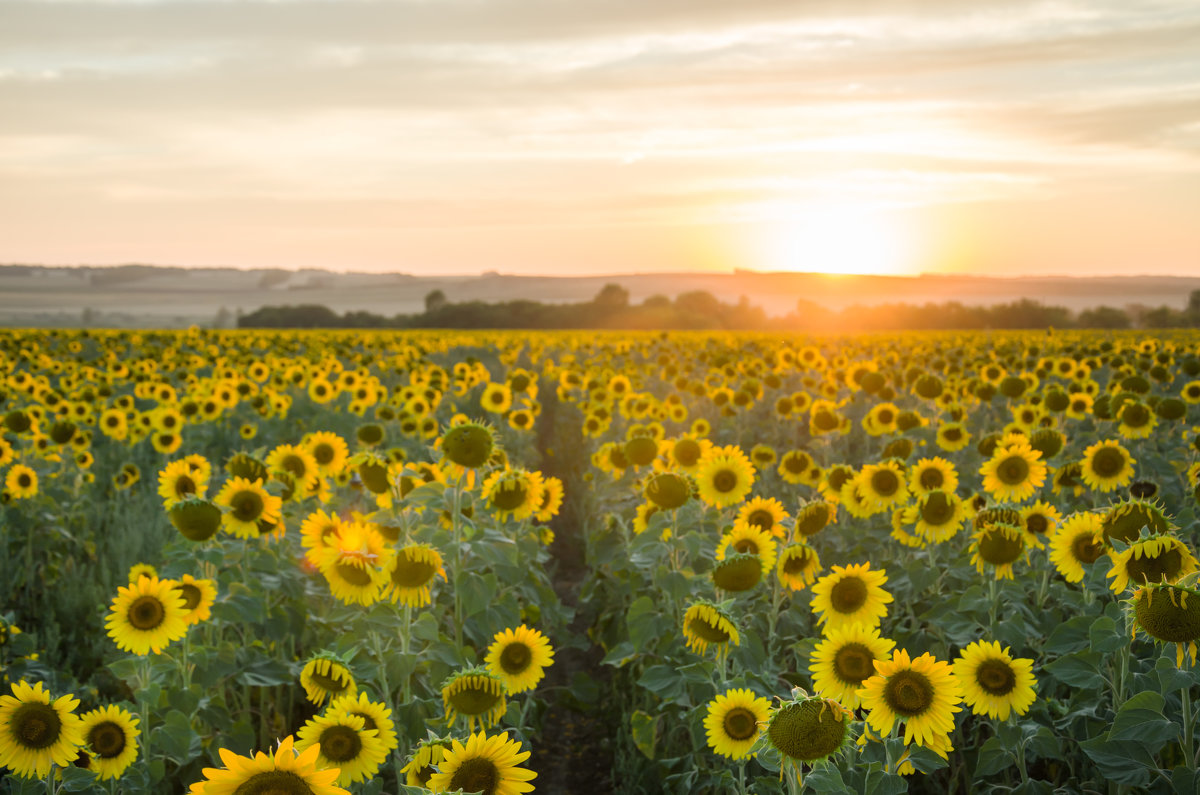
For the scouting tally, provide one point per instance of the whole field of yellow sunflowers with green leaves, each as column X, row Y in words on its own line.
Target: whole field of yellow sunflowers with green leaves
column 317, row 563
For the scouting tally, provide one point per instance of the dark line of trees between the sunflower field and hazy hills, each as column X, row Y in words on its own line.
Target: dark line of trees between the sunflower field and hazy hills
column 611, row 309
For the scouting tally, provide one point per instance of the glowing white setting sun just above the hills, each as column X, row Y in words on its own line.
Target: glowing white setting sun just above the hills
column 835, row 240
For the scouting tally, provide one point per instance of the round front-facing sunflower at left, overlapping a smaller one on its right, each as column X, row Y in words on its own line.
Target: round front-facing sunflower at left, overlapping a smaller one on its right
column 147, row 615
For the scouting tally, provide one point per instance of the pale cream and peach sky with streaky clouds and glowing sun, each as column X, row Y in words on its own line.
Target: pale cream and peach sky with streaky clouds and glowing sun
column 604, row 138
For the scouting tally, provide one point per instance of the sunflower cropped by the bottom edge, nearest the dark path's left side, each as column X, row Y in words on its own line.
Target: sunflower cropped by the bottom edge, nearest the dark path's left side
column 485, row 766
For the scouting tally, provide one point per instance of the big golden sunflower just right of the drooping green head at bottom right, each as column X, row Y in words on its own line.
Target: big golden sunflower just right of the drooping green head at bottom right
column 922, row 692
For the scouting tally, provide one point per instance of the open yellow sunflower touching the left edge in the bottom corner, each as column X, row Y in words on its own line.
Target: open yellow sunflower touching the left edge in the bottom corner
column 37, row 733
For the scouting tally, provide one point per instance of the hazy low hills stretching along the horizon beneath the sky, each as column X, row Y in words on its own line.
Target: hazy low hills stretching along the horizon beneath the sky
column 163, row 297
